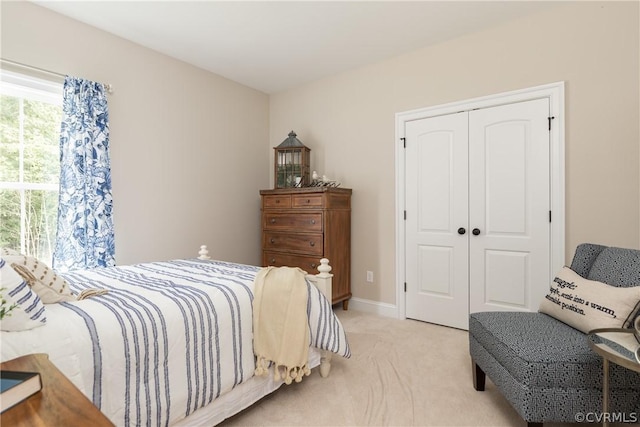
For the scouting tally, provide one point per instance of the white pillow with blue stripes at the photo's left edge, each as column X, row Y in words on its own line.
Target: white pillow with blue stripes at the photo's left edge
column 29, row 311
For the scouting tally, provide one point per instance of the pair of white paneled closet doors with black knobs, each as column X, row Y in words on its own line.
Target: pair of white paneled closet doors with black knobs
column 477, row 229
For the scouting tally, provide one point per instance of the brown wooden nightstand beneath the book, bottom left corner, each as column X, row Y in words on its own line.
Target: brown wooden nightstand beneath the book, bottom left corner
column 59, row 403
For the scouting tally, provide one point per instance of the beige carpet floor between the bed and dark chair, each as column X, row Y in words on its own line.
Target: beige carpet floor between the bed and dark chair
column 401, row 373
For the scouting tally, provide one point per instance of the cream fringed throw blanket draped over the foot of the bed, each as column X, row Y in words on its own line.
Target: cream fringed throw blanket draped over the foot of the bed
column 280, row 323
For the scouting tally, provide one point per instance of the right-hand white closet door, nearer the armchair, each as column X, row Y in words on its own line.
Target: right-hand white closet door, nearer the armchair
column 509, row 206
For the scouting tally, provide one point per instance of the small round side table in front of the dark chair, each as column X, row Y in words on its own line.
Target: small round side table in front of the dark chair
column 616, row 345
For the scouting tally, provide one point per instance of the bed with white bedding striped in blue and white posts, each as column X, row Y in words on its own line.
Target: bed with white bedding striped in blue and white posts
column 169, row 343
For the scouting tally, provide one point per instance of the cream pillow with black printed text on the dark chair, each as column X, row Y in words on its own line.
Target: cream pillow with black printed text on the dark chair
column 587, row 304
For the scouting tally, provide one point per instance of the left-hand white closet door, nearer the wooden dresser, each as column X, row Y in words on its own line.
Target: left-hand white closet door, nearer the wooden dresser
column 437, row 207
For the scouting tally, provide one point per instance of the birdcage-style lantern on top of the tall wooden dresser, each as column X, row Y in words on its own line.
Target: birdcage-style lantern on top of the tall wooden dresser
column 291, row 168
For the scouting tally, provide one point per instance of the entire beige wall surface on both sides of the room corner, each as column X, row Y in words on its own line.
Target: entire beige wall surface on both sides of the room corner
column 190, row 149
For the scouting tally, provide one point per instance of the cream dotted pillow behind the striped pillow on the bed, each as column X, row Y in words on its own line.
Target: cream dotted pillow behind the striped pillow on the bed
column 50, row 287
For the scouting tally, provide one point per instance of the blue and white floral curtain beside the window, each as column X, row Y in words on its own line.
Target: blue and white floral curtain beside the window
column 84, row 236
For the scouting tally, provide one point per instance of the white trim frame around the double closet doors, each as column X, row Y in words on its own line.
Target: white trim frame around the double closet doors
column 555, row 93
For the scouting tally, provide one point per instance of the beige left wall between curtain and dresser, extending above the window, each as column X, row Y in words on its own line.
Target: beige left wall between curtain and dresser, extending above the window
column 188, row 147
